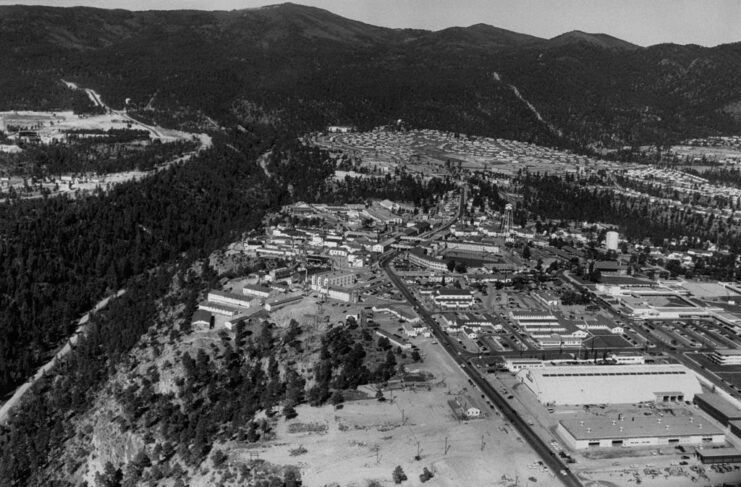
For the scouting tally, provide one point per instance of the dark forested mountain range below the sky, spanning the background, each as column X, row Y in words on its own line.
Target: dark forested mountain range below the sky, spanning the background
column 308, row 66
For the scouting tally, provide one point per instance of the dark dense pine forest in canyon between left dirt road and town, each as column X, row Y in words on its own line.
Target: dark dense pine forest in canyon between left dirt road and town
column 59, row 256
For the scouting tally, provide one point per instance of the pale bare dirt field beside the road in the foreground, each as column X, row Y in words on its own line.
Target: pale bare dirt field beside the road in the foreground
column 366, row 439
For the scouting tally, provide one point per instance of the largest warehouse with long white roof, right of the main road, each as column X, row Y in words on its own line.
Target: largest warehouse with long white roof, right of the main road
column 611, row 384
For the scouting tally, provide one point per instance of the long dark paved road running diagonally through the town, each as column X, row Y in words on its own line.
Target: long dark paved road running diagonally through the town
column 549, row 457
